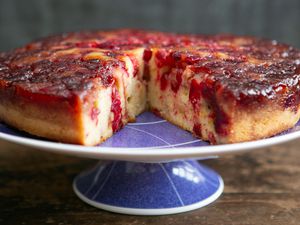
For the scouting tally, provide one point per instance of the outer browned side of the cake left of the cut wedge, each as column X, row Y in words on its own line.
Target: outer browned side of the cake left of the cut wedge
column 42, row 115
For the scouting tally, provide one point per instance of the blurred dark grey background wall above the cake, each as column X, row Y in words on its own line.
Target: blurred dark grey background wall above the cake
column 25, row 20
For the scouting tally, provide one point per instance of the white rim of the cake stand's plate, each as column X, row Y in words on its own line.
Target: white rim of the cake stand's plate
column 146, row 153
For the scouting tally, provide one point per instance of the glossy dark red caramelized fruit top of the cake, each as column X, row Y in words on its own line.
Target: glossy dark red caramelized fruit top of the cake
column 245, row 69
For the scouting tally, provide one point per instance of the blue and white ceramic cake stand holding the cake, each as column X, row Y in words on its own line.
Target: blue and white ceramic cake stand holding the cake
column 149, row 167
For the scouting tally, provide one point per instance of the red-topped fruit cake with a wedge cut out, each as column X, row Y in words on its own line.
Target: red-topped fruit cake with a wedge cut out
column 82, row 87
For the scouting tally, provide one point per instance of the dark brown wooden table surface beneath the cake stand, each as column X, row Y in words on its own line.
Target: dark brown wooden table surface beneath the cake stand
column 261, row 187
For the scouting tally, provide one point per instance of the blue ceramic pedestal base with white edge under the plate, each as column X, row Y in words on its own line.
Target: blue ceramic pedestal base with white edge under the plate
column 149, row 188
